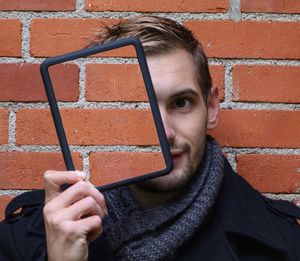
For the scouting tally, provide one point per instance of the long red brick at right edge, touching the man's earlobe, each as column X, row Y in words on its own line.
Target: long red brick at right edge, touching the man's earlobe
column 259, row 128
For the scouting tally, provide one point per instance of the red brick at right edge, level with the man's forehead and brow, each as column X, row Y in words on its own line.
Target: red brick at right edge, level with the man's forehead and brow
column 266, row 83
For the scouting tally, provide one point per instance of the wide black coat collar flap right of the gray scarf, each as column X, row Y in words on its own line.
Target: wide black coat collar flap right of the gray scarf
column 242, row 210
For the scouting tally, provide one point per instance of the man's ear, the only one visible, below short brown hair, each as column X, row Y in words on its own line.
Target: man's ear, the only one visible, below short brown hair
column 213, row 108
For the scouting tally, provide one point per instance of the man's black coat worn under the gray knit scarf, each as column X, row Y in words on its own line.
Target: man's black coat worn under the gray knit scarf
column 243, row 226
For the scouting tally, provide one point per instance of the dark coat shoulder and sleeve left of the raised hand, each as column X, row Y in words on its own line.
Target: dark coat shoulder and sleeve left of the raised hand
column 22, row 235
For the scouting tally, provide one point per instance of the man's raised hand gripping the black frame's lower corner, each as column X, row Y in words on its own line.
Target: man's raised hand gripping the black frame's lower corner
column 72, row 217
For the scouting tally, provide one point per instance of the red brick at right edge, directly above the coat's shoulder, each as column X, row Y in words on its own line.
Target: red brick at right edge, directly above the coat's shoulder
column 271, row 173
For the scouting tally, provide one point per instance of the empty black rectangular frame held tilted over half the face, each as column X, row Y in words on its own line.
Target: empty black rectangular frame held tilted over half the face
column 44, row 69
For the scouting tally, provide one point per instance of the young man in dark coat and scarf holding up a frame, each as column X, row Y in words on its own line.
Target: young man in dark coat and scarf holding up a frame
column 202, row 210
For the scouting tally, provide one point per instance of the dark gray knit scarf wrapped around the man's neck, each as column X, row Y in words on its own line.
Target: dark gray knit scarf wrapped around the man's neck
column 133, row 233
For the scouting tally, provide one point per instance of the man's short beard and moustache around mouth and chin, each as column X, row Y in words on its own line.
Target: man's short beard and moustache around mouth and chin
column 177, row 179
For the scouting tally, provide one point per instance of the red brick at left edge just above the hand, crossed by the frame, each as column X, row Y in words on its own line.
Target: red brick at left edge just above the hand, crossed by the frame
column 24, row 170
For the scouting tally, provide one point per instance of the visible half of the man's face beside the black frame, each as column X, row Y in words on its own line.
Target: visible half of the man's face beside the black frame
column 184, row 114
